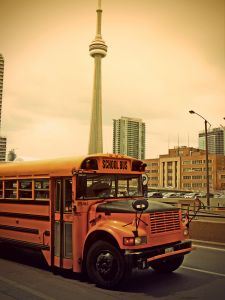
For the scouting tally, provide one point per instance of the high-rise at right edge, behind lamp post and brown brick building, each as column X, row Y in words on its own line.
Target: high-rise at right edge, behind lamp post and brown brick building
column 216, row 141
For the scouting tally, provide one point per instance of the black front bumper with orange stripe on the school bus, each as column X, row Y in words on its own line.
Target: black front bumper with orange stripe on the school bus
column 142, row 258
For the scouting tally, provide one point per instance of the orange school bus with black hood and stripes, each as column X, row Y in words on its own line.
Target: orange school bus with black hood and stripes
column 89, row 214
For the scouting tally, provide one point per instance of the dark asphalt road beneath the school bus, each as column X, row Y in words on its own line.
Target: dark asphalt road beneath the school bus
column 202, row 276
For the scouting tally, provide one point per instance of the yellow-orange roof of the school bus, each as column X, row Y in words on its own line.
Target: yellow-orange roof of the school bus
column 51, row 167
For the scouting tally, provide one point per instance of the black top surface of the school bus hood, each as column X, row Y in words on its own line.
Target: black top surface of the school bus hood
column 125, row 206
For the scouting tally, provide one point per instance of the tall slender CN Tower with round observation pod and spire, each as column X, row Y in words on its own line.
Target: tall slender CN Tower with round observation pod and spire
column 98, row 50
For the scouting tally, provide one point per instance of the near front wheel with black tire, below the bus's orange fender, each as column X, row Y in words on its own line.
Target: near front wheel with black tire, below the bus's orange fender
column 105, row 265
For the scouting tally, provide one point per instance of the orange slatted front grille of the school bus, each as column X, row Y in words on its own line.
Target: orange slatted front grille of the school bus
column 164, row 221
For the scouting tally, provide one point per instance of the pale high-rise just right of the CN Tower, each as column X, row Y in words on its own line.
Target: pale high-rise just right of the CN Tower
column 129, row 137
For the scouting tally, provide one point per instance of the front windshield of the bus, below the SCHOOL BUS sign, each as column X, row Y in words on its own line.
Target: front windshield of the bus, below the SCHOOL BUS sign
column 97, row 186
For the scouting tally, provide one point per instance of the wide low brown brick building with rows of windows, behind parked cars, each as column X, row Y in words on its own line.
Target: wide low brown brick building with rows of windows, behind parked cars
column 185, row 168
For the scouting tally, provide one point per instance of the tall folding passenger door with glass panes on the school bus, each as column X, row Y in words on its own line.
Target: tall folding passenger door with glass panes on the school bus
column 62, row 253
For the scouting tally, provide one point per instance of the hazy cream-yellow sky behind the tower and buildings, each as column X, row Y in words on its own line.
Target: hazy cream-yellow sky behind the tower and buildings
column 165, row 57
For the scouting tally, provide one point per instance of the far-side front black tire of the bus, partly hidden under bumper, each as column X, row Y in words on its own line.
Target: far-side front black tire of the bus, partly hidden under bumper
column 167, row 265
